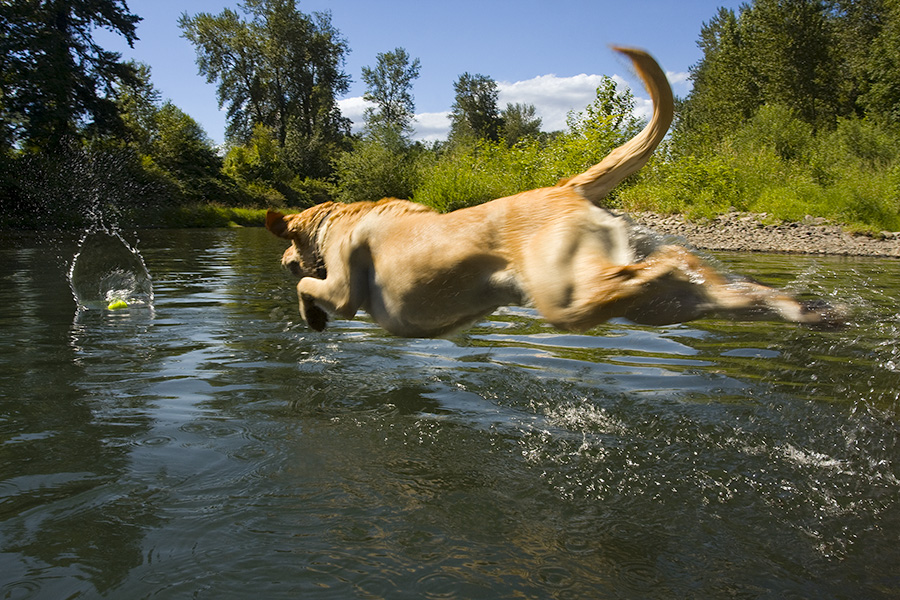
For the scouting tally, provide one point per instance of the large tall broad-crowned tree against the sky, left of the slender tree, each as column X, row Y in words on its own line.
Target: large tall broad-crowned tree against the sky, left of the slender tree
column 281, row 69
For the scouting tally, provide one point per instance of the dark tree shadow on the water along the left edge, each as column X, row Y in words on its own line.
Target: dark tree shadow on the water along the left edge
column 70, row 512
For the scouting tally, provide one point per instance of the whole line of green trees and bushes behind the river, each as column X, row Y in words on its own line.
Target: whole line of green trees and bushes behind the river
column 795, row 110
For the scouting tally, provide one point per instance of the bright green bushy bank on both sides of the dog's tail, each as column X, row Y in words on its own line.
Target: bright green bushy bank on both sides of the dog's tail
column 776, row 165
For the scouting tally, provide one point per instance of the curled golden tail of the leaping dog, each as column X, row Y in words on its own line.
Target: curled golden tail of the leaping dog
column 595, row 183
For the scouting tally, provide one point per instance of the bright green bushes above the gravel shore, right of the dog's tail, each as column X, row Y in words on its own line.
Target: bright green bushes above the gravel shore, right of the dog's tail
column 780, row 166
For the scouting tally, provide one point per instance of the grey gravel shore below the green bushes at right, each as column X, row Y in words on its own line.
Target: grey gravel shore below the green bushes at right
column 748, row 232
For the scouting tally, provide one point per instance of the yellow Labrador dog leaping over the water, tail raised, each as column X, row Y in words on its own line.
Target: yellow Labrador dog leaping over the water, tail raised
column 420, row 273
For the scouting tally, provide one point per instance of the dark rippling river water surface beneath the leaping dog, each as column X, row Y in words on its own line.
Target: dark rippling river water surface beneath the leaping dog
column 210, row 446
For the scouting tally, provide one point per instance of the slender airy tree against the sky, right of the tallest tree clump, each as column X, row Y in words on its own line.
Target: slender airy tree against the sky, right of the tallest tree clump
column 389, row 88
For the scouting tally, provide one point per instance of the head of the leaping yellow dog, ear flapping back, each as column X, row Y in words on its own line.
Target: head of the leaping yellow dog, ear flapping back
column 303, row 258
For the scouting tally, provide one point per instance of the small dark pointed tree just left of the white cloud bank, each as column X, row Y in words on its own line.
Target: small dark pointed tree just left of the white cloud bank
column 474, row 114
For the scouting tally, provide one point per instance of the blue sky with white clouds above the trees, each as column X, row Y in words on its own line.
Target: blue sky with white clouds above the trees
column 548, row 53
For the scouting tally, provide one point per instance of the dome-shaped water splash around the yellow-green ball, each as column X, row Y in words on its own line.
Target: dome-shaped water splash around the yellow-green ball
column 108, row 273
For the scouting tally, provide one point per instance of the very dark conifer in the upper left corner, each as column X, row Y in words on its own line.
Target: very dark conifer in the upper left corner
column 56, row 82
